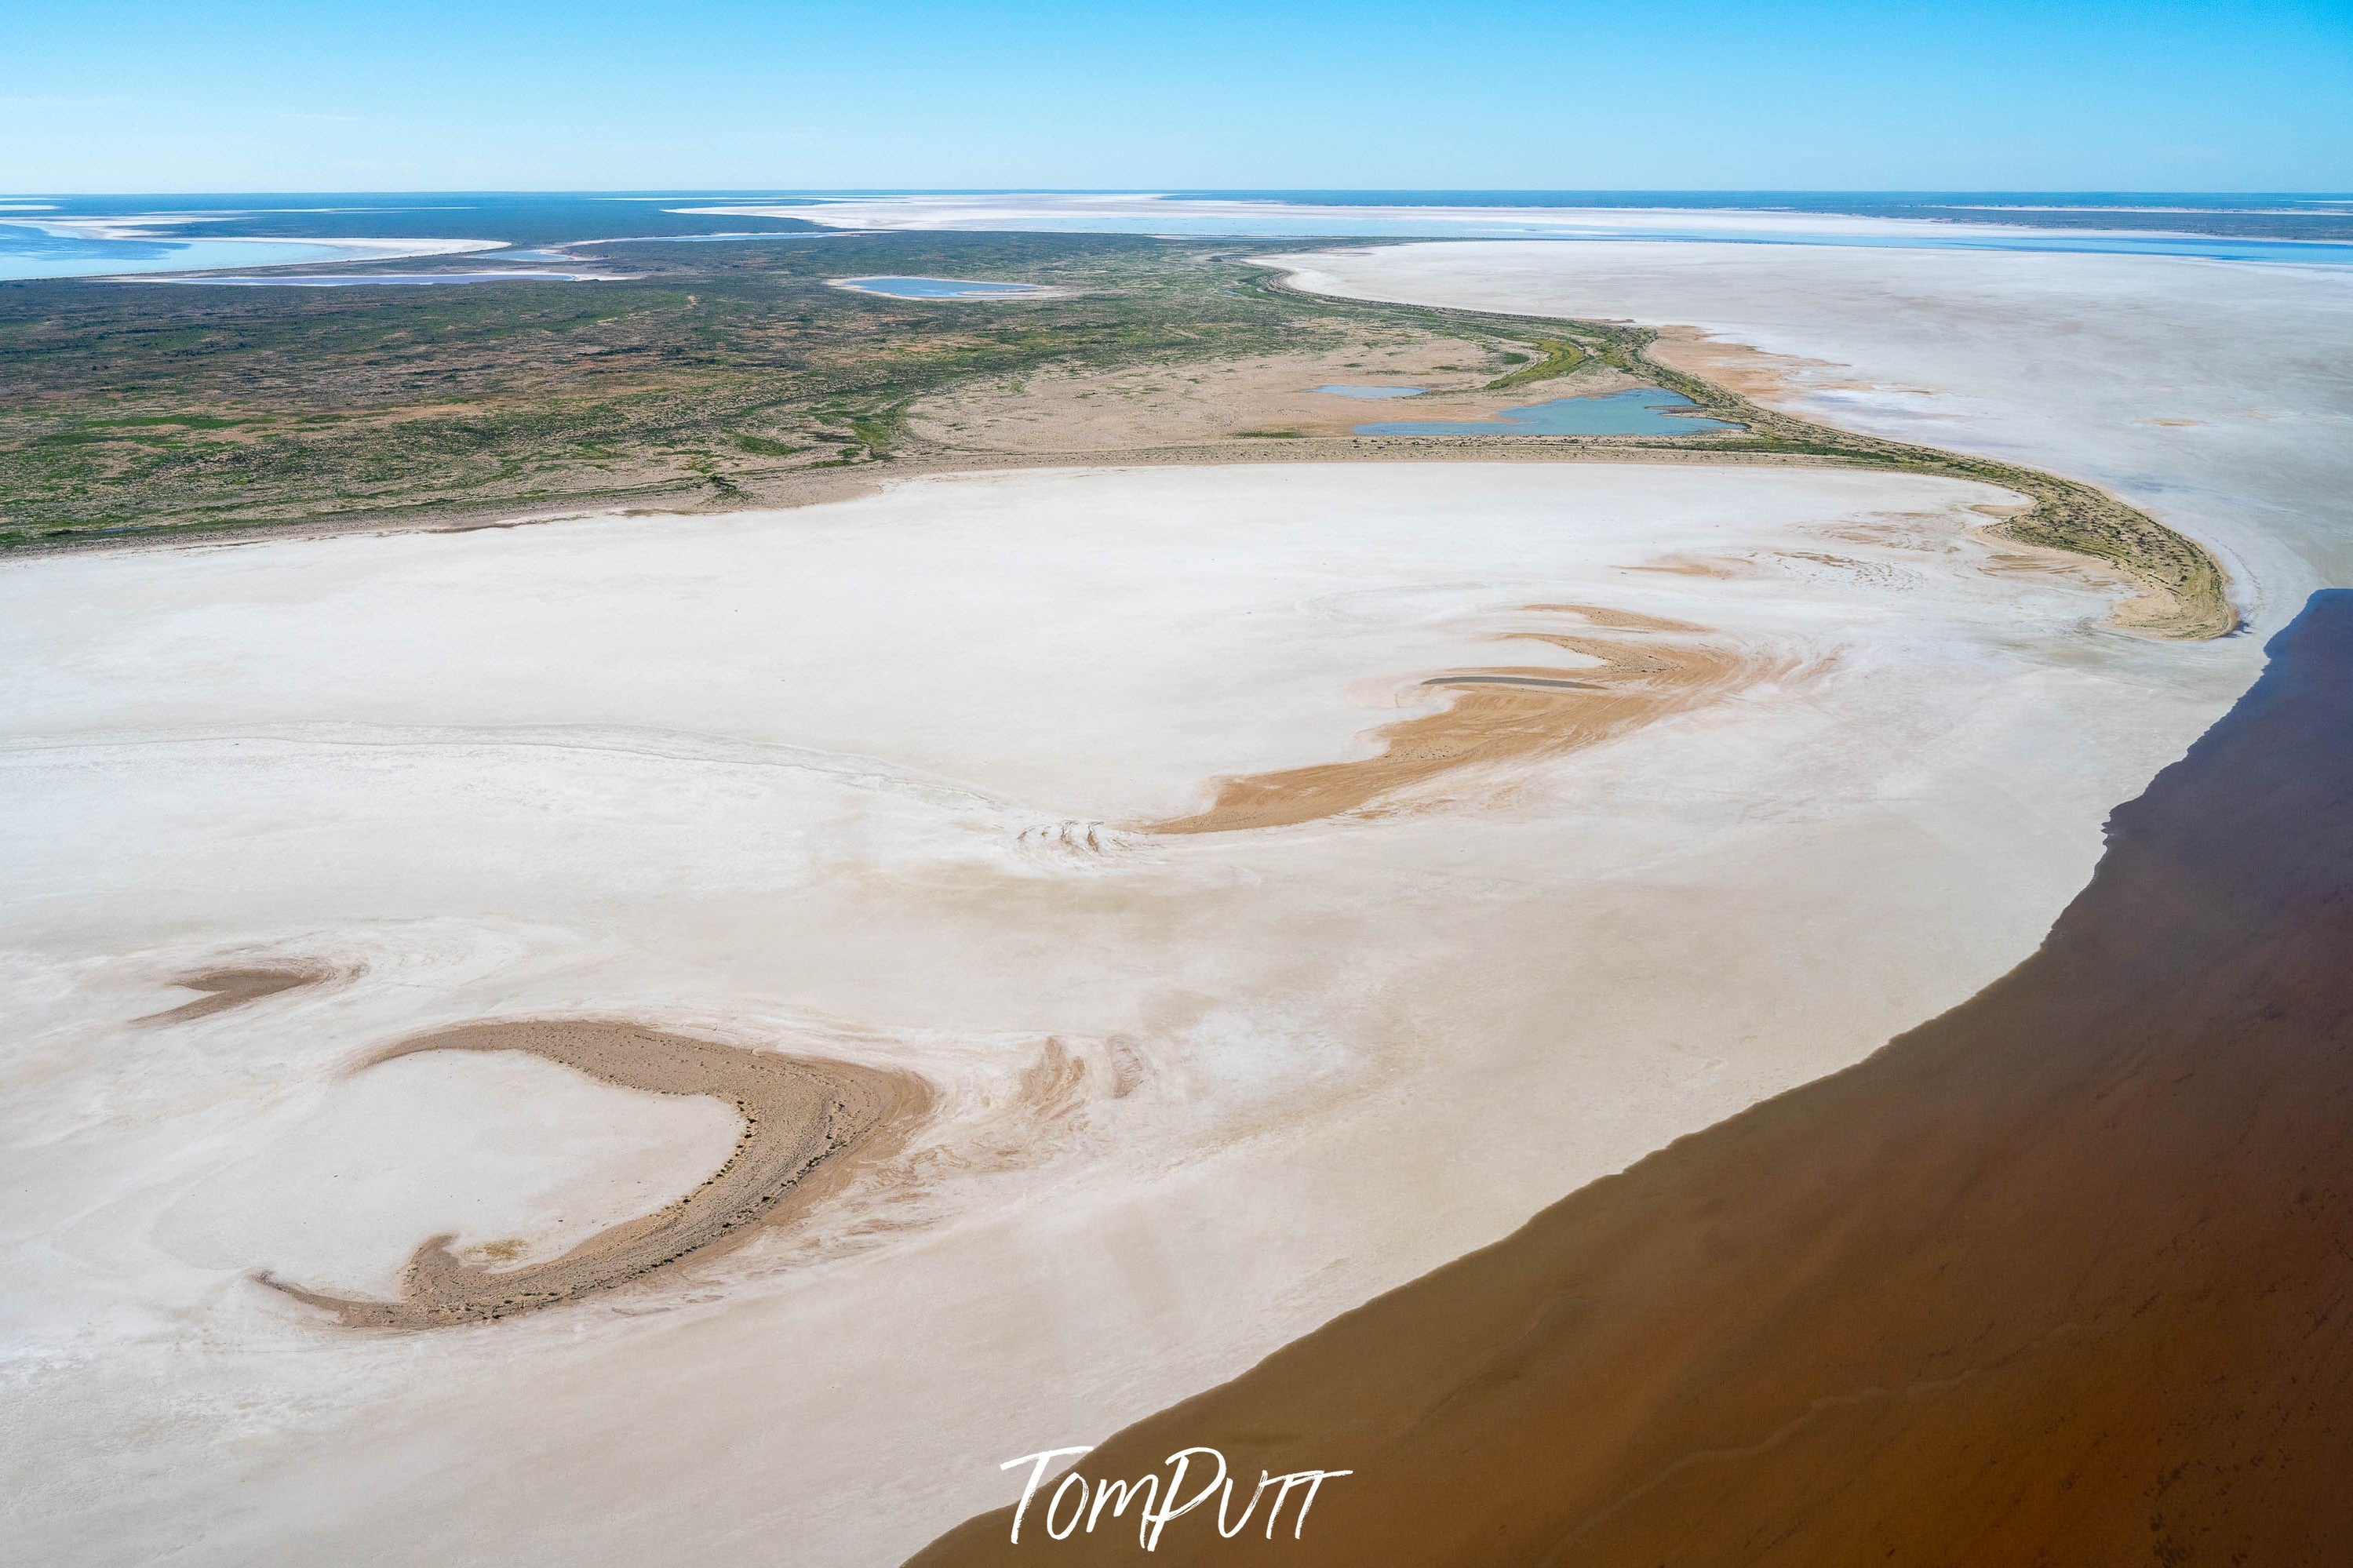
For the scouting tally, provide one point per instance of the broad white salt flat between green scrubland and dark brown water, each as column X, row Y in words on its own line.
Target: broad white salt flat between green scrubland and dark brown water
column 872, row 782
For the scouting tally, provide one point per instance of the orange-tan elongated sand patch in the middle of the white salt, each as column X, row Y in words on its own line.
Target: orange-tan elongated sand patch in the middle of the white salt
column 1505, row 721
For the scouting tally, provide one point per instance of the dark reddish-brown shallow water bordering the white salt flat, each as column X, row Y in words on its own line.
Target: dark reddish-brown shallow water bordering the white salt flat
column 2060, row 1278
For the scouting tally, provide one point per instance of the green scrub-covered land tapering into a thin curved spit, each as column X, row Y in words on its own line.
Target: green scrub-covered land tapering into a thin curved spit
column 161, row 408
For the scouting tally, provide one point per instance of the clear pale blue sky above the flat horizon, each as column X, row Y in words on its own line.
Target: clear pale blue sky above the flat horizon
column 589, row 95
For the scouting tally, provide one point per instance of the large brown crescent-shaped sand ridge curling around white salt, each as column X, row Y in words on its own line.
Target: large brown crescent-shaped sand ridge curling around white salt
column 806, row 1123
